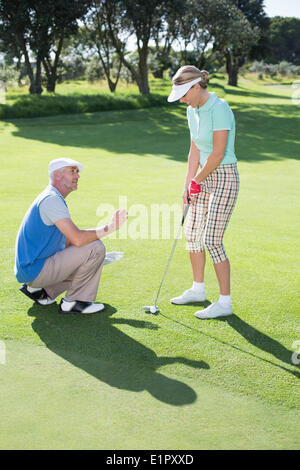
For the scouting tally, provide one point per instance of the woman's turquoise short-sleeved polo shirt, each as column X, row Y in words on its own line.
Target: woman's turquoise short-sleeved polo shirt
column 214, row 115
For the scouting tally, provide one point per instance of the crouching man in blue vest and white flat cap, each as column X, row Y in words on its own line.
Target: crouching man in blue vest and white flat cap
column 53, row 255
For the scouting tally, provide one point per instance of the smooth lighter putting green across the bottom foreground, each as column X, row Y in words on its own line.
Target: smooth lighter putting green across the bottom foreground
column 50, row 404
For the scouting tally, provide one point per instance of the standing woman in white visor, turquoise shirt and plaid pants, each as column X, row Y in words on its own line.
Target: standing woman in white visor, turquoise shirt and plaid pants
column 213, row 190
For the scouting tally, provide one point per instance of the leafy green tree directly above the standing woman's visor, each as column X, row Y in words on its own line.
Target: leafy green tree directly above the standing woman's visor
column 219, row 30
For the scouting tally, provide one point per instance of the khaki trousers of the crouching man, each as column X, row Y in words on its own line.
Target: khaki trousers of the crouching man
column 76, row 270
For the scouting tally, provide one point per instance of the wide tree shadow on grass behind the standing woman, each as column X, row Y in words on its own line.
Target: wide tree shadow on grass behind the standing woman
column 264, row 132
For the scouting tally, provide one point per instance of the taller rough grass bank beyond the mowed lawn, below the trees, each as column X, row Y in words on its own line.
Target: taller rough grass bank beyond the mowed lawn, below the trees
column 82, row 97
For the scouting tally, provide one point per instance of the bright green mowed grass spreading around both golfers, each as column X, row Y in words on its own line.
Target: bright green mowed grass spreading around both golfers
column 127, row 380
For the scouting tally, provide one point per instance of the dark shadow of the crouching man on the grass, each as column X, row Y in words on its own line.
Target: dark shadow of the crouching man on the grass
column 96, row 345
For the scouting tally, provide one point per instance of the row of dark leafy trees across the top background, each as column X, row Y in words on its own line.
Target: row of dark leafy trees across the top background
column 229, row 32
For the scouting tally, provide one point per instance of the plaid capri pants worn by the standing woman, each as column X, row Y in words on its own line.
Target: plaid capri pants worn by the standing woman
column 211, row 211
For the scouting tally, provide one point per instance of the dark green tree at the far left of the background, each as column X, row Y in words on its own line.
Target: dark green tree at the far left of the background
column 37, row 29
